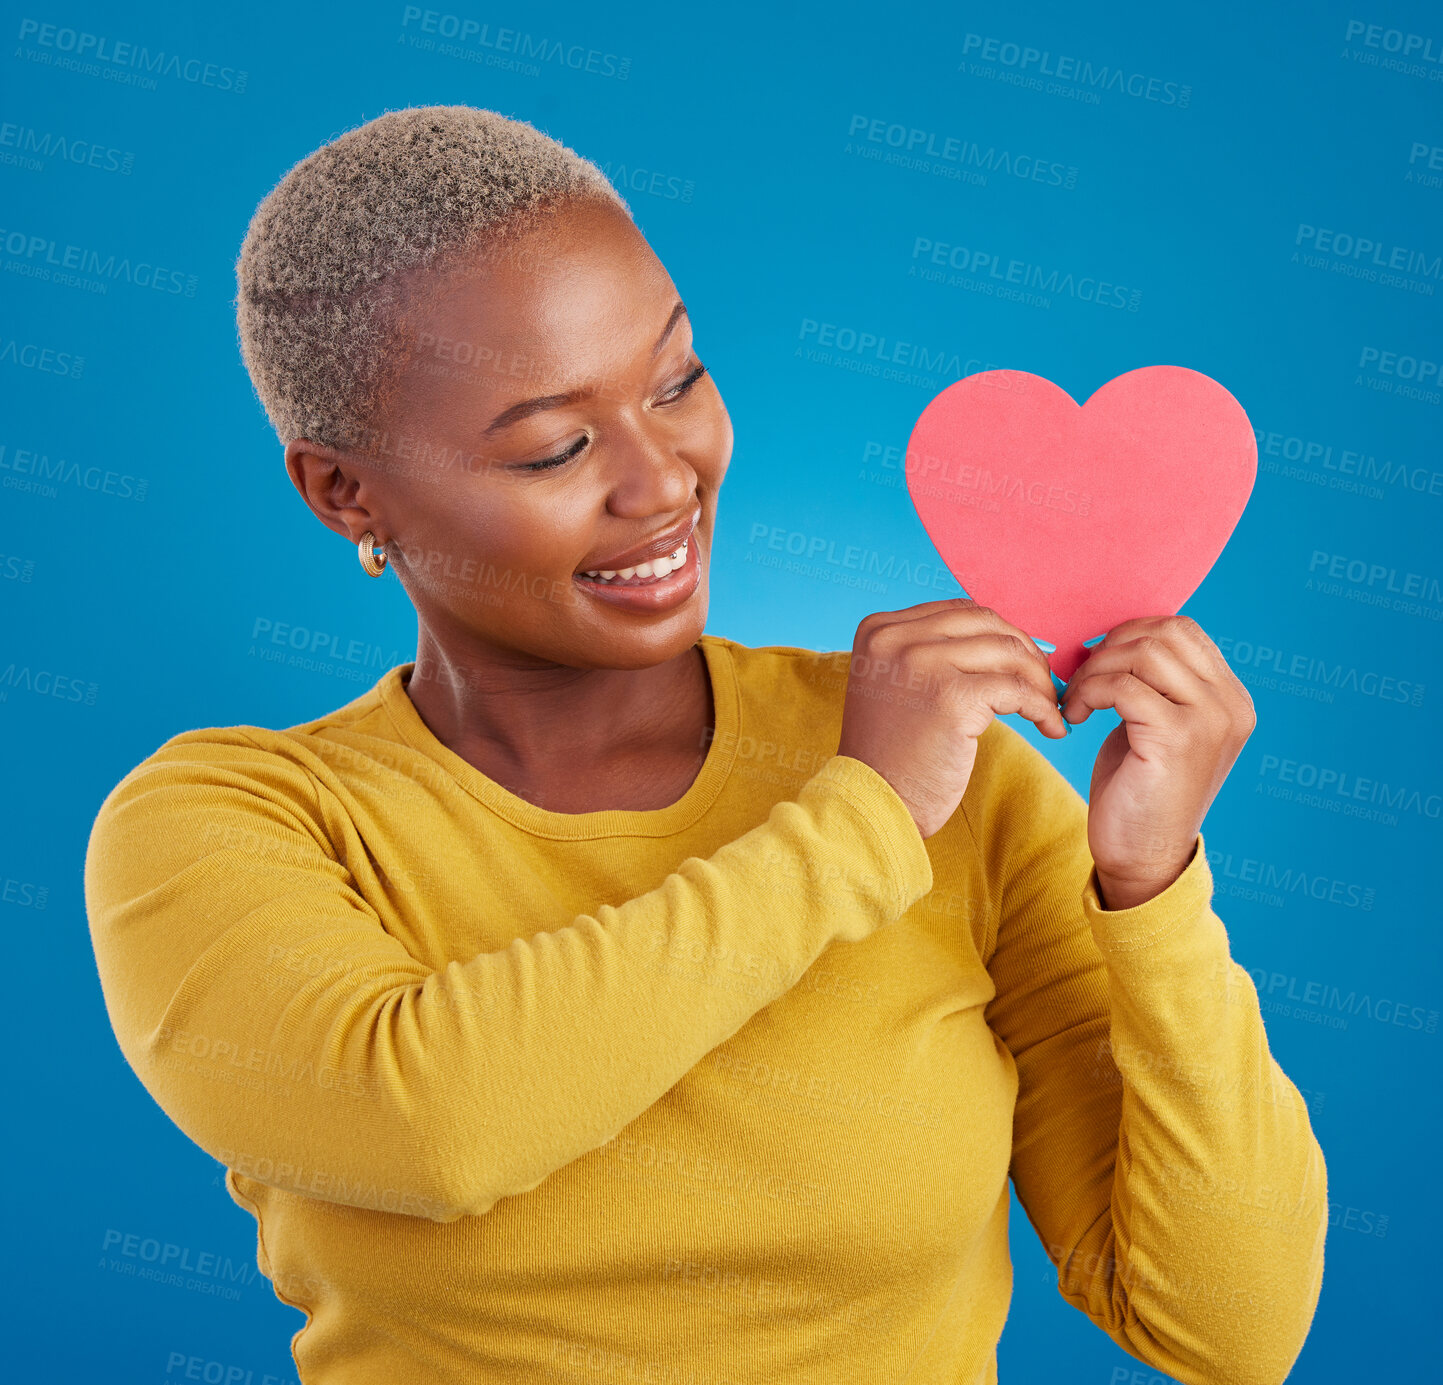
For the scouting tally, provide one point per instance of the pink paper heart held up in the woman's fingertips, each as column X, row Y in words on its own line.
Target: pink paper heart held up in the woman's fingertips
column 1067, row 519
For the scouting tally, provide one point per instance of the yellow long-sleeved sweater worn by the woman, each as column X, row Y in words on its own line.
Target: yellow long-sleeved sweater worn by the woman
column 728, row 1091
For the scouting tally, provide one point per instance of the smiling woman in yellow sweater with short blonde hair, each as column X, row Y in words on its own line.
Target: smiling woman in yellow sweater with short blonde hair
column 601, row 999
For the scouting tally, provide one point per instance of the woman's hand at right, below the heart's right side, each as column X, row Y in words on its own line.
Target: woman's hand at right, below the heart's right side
column 1185, row 721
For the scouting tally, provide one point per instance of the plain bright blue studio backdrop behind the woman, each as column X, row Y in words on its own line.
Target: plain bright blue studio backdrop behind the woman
column 146, row 598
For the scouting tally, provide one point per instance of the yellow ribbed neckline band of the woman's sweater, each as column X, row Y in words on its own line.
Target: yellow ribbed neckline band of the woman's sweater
column 703, row 791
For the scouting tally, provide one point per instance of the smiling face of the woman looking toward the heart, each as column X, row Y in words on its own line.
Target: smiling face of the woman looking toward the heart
column 553, row 416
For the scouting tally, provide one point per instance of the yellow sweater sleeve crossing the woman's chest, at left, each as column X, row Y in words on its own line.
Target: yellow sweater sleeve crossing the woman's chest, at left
column 209, row 869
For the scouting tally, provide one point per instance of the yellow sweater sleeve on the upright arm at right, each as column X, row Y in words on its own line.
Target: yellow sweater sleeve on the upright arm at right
column 1159, row 1152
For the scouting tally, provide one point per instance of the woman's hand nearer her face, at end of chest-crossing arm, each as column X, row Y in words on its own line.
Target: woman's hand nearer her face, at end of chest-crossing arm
column 924, row 685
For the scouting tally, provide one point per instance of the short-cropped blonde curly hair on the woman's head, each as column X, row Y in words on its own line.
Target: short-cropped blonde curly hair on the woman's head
column 331, row 249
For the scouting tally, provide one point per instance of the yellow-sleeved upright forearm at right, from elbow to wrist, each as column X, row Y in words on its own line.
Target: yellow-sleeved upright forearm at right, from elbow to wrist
column 1210, row 1262
